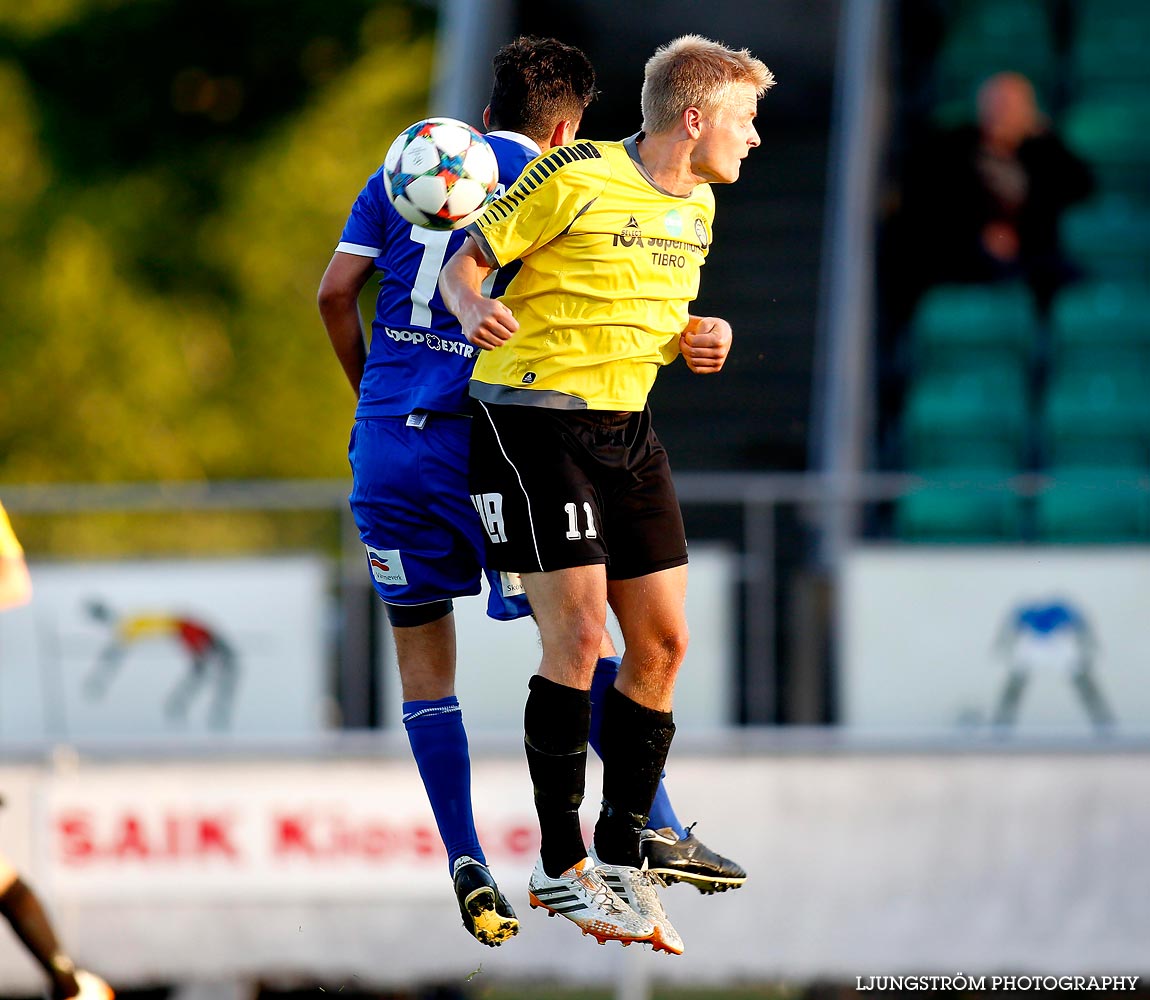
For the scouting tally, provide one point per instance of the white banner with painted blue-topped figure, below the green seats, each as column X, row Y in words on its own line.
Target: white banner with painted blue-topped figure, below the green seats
column 1048, row 642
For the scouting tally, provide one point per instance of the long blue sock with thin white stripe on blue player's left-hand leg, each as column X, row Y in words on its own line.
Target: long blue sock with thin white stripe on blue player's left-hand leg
column 435, row 730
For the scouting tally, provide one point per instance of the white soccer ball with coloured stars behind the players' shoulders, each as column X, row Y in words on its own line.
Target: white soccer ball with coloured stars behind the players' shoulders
column 441, row 174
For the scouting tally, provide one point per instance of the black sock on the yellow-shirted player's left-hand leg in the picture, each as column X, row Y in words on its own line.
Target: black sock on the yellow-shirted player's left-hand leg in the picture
column 556, row 725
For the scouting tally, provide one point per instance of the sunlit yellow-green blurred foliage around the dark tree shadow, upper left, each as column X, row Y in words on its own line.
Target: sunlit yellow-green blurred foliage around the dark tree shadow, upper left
column 108, row 378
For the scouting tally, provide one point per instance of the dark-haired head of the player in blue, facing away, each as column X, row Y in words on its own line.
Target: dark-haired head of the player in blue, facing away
column 540, row 82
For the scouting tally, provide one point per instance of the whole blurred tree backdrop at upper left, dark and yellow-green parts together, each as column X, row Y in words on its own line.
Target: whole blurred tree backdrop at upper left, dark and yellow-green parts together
column 175, row 176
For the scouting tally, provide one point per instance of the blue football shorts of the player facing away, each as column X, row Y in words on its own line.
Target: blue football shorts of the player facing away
column 411, row 504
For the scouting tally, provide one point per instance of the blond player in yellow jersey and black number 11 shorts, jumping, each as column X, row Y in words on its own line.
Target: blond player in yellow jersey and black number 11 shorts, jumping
column 568, row 474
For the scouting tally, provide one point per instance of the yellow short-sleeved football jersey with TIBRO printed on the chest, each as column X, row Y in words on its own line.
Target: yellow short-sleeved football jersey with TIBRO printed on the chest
column 609, row 267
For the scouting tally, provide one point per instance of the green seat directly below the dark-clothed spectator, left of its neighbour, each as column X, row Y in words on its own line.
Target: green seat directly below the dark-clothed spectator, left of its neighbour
column 954, row 326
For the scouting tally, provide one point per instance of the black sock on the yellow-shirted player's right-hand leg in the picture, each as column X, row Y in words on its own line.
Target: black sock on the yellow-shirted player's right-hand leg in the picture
column 635, row 744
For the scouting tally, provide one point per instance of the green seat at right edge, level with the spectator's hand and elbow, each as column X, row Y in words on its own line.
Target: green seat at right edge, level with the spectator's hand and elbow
column 1110, row 237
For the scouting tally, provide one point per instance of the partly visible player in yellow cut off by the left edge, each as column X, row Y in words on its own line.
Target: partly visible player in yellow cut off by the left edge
column 19, row 904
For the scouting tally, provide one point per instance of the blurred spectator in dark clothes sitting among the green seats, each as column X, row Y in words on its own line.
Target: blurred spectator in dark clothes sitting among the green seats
column 982, row 203
